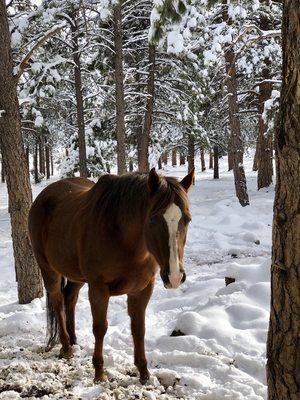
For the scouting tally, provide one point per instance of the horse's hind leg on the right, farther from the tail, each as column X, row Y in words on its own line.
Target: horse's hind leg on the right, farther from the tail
column 71, row 292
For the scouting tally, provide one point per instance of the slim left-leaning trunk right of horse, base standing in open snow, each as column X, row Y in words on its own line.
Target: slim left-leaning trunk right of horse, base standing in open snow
column 234, row 122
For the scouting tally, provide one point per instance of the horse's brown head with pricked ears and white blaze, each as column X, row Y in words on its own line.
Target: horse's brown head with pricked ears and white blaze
column 167, row 224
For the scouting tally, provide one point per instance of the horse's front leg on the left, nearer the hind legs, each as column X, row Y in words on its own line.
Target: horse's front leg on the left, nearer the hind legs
column 99, row 297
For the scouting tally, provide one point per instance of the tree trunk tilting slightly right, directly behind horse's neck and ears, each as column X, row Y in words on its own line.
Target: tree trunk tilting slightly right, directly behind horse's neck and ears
column 145, row 139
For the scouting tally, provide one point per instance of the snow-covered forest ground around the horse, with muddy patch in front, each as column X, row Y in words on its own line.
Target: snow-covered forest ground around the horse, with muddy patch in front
column 220, row 351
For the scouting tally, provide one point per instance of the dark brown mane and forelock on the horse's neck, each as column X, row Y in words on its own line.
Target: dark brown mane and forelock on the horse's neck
column 122, row 198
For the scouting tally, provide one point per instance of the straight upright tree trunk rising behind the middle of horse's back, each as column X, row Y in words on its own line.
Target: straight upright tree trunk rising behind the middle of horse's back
column 119, row 79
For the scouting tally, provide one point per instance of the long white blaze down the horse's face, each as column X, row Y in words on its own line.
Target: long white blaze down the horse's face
column 172, row 217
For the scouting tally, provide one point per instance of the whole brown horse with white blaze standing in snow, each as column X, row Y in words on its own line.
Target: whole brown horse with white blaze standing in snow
column 112, row 235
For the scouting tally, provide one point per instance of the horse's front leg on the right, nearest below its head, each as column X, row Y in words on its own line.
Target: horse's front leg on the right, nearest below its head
column 136, row 309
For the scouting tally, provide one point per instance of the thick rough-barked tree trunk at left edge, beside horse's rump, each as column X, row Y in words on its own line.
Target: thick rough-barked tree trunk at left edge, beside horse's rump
column 17, row 174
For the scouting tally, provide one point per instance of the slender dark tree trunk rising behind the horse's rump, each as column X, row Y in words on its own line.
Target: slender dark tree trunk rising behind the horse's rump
column 79, row 102
